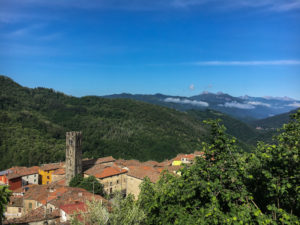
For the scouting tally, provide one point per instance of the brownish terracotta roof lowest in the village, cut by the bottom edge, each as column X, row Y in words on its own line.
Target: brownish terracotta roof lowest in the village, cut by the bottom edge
column 35, row 215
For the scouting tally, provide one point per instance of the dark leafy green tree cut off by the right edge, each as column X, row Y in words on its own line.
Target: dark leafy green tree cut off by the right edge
column 275, row 180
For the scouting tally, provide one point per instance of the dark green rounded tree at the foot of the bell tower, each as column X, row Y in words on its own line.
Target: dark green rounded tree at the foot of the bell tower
column 90, row 184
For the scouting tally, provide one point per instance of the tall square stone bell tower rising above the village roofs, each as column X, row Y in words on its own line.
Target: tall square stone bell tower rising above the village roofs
column 73, row 155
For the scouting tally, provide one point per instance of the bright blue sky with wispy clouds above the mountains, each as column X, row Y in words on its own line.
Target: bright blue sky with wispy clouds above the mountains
column 174, row 47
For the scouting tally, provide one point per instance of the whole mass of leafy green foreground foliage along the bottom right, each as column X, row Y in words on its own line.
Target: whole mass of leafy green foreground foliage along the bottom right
column 228, row 186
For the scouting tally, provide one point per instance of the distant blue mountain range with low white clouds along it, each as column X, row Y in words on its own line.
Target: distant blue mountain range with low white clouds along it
column 245, row 108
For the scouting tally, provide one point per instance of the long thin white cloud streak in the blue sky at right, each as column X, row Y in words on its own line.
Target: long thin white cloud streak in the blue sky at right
column 247, row 63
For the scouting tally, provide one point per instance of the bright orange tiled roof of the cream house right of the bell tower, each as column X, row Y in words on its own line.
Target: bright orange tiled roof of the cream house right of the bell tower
column 102, row 171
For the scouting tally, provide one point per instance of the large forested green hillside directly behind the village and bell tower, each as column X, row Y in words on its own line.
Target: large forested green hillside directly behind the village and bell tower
column 33, row 123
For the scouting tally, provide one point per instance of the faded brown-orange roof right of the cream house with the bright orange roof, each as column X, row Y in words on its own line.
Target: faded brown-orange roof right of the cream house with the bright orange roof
column 141, row 172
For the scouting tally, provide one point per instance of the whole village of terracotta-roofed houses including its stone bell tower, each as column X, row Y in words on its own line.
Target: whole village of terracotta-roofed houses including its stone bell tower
column 41, row 194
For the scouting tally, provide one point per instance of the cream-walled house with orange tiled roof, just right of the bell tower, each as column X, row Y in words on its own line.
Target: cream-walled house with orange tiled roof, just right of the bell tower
column 112, row 177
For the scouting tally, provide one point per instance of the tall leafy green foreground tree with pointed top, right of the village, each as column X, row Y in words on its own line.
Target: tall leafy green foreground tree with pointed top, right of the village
column 211, row 191
